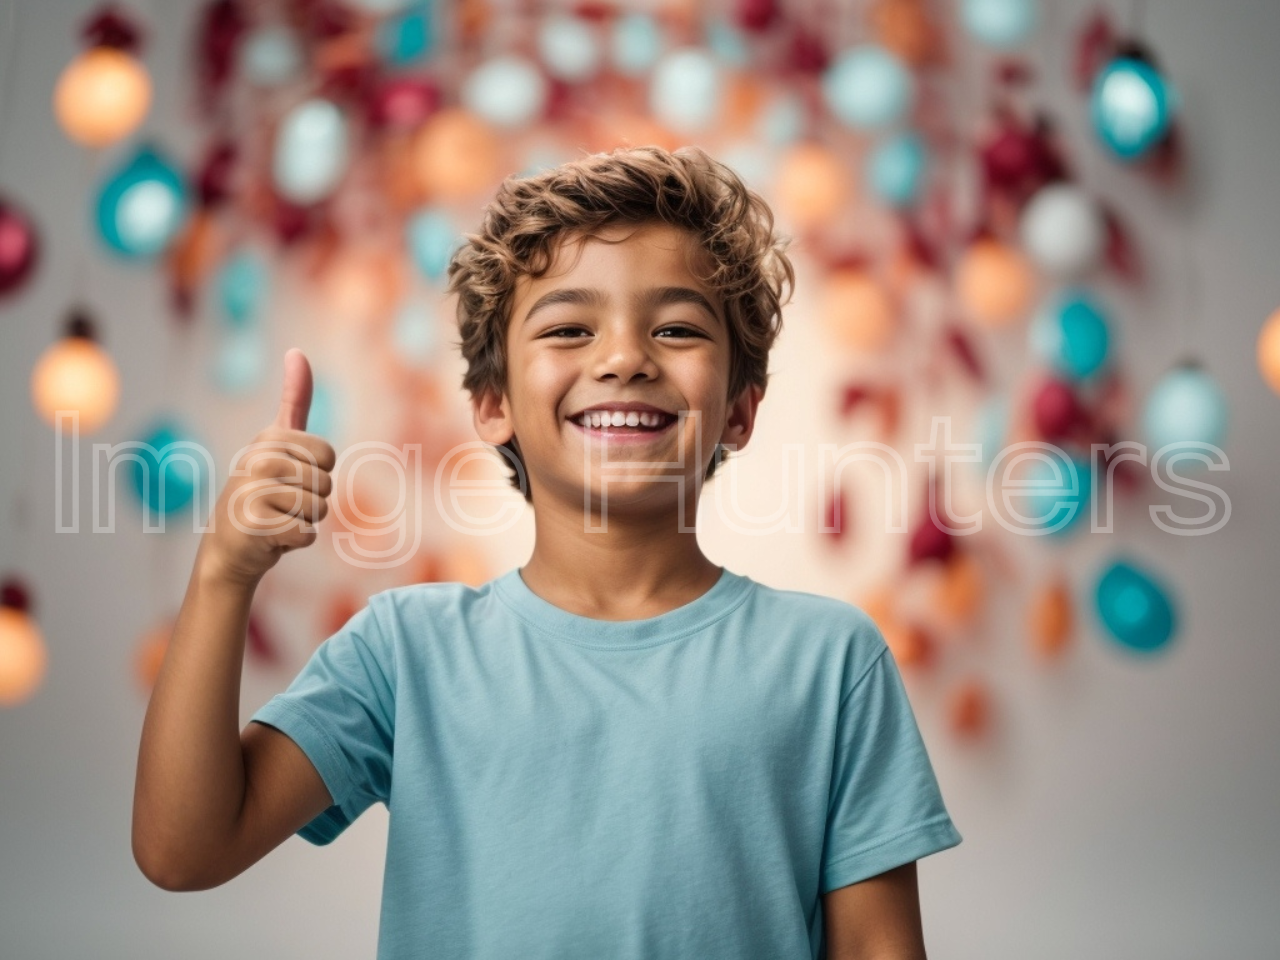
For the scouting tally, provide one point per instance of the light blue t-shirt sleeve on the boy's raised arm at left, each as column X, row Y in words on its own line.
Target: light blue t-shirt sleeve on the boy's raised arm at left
column 341, row 712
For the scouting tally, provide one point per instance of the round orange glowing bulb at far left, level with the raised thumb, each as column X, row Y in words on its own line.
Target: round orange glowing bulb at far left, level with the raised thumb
column 76, row 374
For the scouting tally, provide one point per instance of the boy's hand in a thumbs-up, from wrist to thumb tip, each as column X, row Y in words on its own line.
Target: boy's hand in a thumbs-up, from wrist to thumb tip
column 277, row 492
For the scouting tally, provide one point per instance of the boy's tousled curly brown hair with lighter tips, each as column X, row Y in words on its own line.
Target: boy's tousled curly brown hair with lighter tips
column 529, row 217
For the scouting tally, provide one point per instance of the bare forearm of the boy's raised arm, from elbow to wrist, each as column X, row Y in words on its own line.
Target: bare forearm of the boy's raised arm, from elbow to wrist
column 191, row 771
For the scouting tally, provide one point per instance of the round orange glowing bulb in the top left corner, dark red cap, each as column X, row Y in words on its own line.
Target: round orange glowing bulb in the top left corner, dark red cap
column 103, row 97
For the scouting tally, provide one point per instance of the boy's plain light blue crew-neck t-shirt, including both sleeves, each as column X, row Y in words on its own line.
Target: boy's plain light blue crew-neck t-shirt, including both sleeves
column 665, row 789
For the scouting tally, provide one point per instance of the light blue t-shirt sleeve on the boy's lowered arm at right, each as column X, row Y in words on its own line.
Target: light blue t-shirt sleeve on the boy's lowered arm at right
column 885, row 807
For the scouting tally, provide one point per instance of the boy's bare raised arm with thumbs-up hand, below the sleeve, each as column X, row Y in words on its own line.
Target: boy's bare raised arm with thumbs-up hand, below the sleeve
column 211, row 801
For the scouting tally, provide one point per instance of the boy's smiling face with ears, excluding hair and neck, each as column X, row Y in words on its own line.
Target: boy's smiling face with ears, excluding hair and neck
column 619, row 322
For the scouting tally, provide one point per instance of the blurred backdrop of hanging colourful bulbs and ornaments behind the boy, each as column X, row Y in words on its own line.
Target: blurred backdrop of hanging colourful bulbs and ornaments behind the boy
column 1046, row 223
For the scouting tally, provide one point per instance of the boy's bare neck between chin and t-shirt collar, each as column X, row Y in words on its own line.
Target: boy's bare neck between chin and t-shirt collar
column 629, row 565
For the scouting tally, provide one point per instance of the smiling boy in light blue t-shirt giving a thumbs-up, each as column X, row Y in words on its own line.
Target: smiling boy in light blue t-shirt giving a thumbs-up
column 620, row 749
